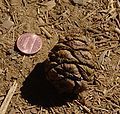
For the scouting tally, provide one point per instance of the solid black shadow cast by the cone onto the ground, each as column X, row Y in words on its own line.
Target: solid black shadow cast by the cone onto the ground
column 38, row 91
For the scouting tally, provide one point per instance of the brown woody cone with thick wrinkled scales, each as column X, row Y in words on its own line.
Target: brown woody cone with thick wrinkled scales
column 69, row 62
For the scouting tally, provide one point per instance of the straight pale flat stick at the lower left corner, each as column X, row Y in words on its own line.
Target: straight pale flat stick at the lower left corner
column 8, row 98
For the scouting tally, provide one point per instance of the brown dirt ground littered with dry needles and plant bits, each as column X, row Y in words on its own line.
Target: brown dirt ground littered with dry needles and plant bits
column 100, row 22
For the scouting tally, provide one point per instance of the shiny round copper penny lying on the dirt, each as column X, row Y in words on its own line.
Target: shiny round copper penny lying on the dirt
column 29, row 43
